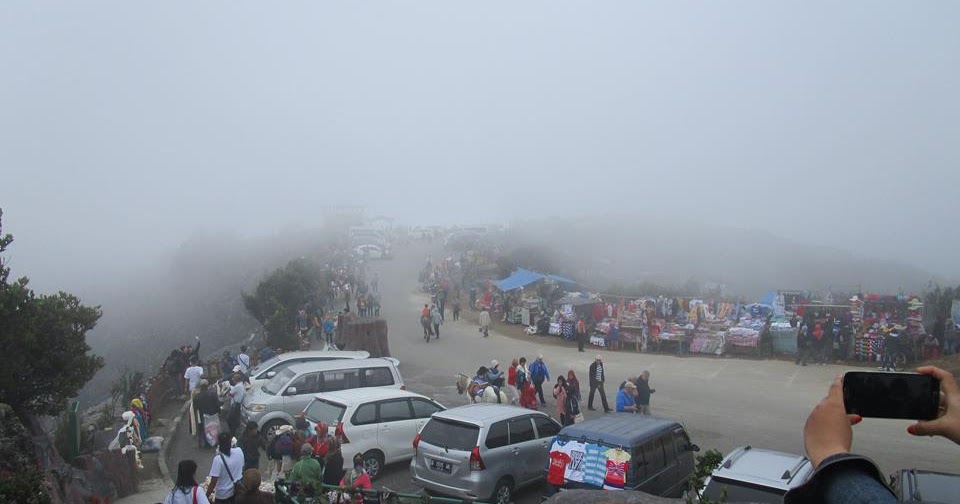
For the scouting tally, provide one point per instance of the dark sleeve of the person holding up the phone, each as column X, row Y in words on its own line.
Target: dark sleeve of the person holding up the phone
column 843, row 479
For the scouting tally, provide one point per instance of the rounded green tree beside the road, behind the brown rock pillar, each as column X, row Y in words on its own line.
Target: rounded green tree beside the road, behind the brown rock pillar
column 277, row 298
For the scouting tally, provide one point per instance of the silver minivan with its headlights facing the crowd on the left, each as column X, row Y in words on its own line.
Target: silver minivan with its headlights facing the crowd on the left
column 284, row 396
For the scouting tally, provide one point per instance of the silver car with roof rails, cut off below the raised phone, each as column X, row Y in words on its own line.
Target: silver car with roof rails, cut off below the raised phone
column 750, row 474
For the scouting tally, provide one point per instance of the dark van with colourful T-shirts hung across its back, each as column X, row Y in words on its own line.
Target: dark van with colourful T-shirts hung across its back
column 622, row 451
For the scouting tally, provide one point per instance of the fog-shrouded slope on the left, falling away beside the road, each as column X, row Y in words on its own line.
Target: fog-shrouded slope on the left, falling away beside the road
column 194, row 291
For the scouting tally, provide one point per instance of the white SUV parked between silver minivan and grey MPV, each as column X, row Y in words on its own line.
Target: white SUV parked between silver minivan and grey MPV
column 378, row 423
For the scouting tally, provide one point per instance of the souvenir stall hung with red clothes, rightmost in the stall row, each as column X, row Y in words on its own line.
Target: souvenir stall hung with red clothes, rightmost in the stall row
column 886, row 314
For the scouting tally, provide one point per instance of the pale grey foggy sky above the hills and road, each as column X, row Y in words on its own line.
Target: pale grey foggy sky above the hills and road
column 125, row 127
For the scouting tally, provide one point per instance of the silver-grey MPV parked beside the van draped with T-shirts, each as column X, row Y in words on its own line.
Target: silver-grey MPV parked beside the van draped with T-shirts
column 482, row 451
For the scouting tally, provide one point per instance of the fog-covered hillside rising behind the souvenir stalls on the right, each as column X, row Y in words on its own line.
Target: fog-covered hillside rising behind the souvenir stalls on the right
column 625, row 250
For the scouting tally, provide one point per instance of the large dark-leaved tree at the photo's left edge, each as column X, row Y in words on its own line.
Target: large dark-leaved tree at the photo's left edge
column 45, row 358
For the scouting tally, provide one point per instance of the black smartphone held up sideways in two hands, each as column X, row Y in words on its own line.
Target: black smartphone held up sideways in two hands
column 907, row 396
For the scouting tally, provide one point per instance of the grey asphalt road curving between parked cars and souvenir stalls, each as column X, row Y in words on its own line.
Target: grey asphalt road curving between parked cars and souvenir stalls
column 723, row 402
